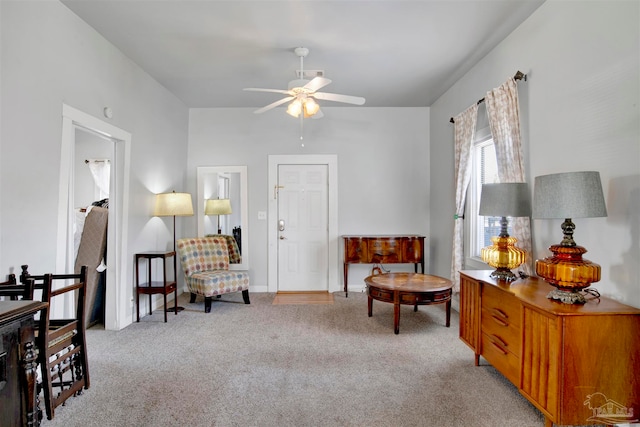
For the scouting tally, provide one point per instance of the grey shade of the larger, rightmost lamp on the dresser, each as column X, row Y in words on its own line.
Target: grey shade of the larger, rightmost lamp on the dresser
column 568, row 195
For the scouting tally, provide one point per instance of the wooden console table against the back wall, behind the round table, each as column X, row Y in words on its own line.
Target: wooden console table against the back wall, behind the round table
column 382, row 249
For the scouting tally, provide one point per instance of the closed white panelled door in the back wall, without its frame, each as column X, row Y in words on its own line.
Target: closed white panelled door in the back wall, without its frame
column 303, row 228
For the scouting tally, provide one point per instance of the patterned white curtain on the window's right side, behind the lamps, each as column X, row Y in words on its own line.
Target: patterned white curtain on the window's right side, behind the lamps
column 504, row 121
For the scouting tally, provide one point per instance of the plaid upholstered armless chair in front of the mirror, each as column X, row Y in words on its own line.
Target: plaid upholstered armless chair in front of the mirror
column 205, row 263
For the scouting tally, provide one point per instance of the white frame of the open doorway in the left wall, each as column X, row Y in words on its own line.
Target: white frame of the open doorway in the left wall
column 117, row 303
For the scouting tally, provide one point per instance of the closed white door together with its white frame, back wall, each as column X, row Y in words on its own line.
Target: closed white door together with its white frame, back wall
column 280, row 255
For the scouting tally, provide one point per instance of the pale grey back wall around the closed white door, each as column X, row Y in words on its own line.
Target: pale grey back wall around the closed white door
column 383, row 171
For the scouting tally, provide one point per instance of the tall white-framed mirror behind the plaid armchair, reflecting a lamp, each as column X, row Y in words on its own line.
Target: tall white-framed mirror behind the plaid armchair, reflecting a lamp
column 222, row 207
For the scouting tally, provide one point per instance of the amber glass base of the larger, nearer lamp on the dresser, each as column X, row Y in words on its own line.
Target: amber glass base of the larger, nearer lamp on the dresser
column 568, row 272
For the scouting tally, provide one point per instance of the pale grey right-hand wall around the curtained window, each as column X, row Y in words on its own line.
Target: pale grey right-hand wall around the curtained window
column 579, row 111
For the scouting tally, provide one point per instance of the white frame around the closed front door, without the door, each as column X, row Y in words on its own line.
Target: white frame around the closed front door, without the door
column 331, row 160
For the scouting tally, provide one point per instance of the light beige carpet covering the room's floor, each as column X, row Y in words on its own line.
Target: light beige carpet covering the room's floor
column 265, row 365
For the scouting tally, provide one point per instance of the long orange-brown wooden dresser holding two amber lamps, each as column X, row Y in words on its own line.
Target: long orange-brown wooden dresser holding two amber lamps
column 578, row 364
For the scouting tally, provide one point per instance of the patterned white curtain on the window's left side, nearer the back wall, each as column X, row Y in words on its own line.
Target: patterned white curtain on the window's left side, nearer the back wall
column 464, row 134
